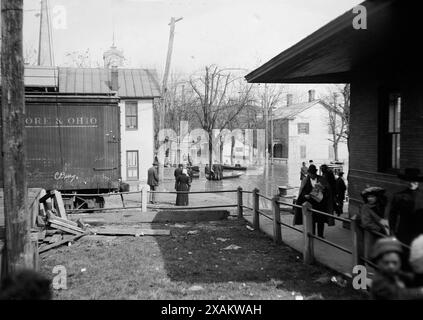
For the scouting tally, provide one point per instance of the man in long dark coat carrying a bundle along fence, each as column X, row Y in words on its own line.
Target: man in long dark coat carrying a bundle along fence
column 314, row 189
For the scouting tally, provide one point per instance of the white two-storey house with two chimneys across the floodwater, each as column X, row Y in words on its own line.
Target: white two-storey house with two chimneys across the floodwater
column 301, row 132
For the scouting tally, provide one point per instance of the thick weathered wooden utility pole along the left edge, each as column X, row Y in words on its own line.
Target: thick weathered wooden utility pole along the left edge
column 17, row 219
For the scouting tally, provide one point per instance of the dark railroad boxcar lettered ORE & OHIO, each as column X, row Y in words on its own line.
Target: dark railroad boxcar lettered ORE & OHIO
column 73, row 143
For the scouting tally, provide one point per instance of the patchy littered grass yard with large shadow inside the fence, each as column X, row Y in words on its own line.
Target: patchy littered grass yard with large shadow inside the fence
column 189, row 266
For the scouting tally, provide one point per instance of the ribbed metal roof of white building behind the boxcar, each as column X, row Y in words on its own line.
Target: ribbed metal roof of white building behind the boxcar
column 133, row 83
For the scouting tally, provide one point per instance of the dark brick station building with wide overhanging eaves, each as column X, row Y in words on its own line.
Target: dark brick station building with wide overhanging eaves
column 384, row 67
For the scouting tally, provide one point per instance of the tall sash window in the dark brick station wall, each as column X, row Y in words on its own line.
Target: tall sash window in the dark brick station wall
column 390, row 132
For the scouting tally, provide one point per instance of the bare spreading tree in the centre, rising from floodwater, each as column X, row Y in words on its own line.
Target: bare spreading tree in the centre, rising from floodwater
column 217, row 101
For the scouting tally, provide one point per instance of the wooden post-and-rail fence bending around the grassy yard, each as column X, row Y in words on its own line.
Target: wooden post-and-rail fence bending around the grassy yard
column 357, row 234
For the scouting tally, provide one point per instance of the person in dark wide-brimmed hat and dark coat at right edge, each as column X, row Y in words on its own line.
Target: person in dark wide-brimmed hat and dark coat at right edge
column 406, row 208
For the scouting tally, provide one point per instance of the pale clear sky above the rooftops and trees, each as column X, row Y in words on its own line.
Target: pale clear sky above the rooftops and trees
column 229, row 33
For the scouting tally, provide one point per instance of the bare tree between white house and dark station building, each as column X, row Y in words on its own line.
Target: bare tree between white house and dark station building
column 339, row 116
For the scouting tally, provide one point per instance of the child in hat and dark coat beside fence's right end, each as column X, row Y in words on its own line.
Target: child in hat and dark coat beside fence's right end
column 372, row 217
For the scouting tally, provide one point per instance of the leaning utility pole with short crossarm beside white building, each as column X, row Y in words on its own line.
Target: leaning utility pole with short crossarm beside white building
column 162, row 110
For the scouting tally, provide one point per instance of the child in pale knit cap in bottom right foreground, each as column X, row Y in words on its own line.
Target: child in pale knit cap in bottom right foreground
column 389, row 282
